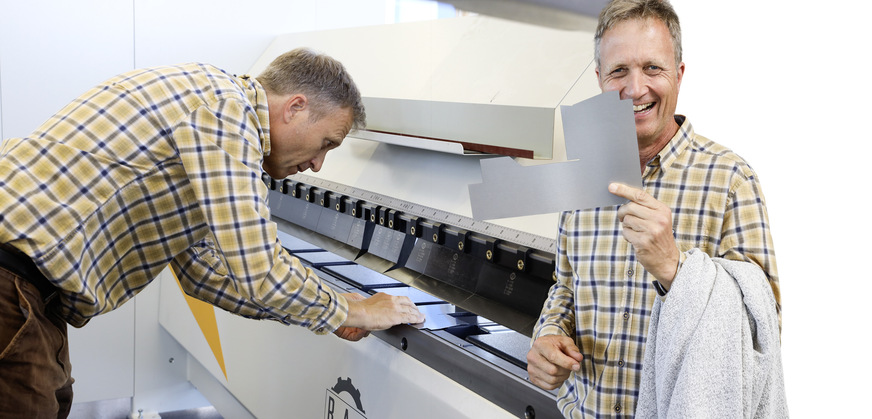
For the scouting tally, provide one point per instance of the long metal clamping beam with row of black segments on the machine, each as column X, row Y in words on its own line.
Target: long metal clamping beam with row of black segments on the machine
column 495, row 278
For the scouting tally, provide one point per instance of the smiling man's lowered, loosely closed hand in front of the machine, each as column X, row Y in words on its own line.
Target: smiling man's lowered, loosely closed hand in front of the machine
column 551, row 359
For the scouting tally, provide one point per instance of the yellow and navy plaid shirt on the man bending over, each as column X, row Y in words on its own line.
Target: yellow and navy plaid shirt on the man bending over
column 158, row 166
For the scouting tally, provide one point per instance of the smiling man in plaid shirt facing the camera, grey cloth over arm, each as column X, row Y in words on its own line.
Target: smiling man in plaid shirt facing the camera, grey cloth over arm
column 700, row 203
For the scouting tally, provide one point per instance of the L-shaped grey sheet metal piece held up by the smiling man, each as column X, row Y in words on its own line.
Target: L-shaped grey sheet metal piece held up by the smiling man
column 601, row 144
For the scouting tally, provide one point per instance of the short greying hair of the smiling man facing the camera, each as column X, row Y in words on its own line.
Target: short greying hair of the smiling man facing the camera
column 618, row 11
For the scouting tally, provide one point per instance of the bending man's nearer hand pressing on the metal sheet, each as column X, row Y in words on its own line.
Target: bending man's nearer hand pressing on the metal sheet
column 381, row 311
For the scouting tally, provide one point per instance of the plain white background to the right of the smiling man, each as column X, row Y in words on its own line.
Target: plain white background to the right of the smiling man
column 785, row 84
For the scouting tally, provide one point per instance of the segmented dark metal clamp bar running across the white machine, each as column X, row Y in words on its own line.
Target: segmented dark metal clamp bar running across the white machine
column 511, row 275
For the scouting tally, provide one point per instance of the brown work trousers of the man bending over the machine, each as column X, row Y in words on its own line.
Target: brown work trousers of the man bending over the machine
column 35, row 379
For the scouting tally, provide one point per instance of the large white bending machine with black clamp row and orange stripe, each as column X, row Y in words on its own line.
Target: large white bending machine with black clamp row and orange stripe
column 389, row 212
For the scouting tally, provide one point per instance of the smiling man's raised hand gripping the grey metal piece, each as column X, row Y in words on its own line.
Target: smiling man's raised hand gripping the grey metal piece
column 647, row 225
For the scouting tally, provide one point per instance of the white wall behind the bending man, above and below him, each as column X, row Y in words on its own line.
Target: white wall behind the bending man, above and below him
column 53, row 50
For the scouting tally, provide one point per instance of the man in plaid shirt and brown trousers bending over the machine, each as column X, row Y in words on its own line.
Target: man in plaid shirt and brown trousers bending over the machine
column 162, row 166
